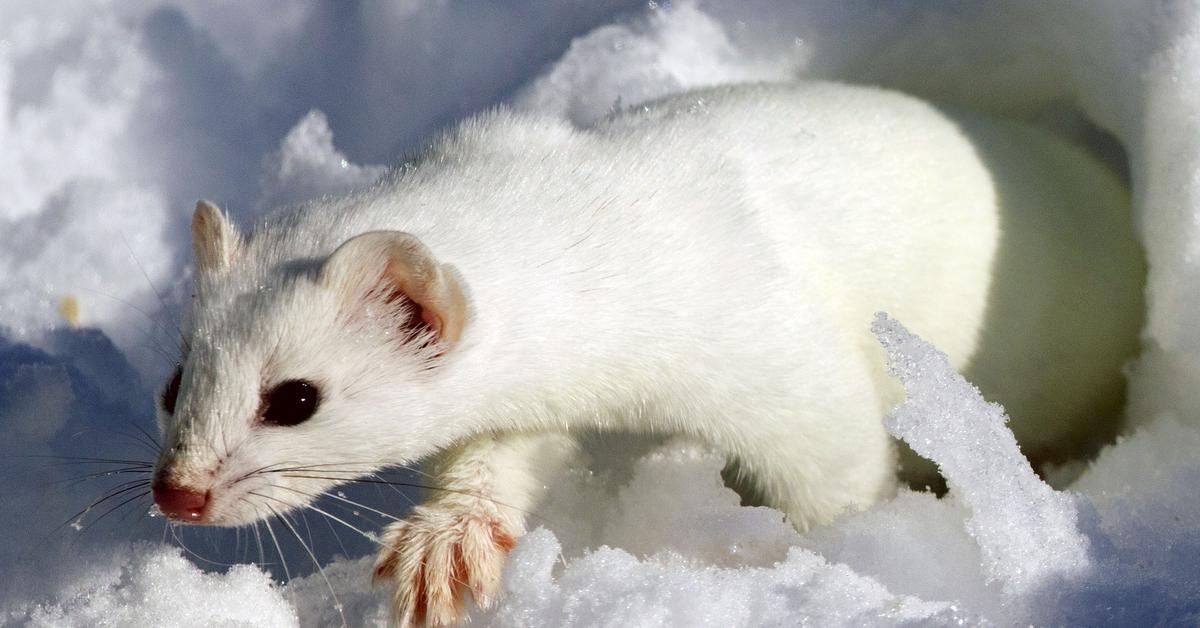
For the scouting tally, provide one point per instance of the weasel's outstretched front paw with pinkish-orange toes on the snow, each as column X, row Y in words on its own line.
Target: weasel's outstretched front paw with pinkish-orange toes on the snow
column 437, row 555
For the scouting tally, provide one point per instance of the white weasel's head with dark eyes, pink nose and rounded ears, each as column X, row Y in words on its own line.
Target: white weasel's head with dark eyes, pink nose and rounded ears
column 297, row 375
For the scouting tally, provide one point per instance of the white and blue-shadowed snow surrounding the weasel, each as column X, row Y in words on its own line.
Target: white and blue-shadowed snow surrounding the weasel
column 116, row 117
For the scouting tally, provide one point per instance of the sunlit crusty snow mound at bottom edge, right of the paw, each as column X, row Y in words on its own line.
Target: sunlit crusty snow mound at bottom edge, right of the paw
column 613, row 588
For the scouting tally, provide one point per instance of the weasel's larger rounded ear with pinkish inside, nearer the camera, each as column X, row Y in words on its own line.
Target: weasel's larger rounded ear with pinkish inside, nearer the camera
column 403, row 267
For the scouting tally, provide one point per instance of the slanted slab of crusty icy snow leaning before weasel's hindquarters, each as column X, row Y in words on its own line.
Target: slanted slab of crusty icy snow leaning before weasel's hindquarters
column 1027, row 531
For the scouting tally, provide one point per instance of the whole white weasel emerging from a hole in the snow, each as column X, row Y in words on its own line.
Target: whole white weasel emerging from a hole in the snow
column 709, row 265
